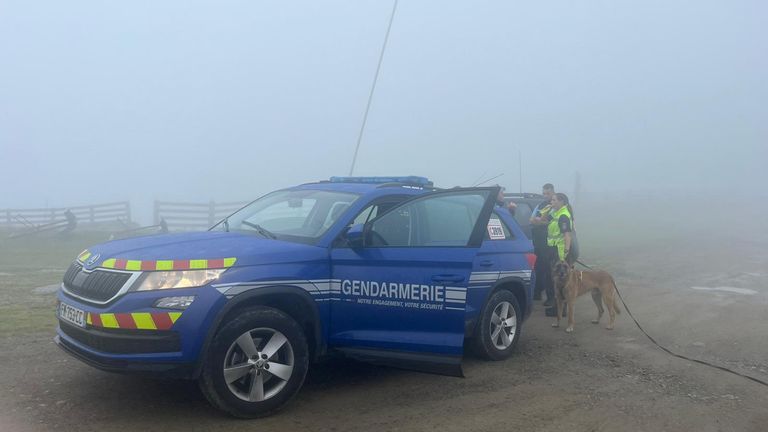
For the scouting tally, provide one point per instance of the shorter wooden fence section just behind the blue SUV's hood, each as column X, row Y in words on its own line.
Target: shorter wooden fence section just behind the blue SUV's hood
column 193, row 216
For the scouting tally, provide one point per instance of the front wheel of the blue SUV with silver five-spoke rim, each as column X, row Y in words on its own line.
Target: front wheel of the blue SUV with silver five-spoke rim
column 256, row 363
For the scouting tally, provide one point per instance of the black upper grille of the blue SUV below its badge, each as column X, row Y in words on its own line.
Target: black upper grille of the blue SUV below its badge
column 98, row 285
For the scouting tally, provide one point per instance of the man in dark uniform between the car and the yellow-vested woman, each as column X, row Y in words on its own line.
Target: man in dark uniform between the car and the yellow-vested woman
column 539, row 220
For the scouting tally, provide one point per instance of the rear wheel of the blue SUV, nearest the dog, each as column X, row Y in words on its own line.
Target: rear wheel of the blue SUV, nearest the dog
column 499, row 328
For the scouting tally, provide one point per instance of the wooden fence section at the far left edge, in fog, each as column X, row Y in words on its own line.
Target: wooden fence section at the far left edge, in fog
column 92, row 214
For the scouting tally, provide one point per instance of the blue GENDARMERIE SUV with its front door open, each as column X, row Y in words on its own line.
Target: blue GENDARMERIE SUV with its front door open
column 386, row 270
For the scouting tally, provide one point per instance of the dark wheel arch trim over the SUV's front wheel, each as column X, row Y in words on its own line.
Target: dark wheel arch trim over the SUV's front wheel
column 294, row 301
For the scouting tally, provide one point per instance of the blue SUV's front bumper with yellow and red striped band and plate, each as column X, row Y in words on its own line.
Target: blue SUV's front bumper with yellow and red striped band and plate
column 126, row 336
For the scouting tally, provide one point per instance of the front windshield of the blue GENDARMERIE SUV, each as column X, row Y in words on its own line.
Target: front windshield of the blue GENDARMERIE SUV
column 297, row 215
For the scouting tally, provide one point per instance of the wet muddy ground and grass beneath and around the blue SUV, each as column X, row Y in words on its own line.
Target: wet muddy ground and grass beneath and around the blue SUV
column 701, row 294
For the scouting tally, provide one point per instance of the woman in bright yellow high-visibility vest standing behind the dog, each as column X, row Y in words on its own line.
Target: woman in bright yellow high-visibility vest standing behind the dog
column 559, row 236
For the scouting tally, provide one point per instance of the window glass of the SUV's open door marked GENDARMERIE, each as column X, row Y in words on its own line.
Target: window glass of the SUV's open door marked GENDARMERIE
column 442, row 220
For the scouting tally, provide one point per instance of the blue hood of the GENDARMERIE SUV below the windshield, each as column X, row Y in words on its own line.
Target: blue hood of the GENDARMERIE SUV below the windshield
column 208, row 245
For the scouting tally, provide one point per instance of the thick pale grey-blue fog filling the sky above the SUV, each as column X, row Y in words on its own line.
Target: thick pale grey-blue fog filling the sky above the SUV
column 183, row 100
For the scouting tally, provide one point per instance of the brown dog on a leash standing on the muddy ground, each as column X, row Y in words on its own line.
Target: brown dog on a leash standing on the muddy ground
column 570, row 283
